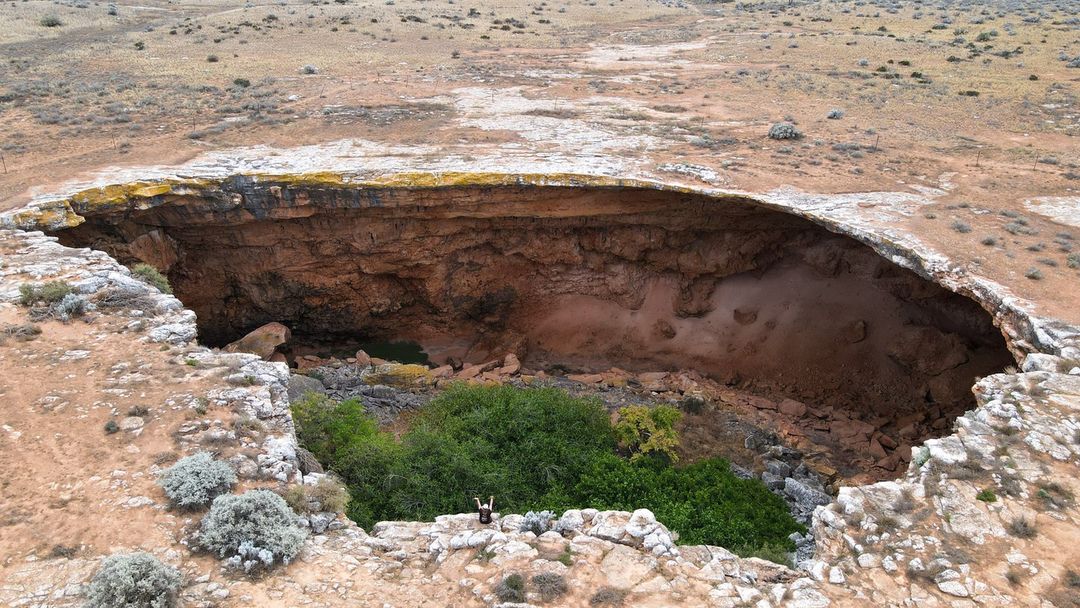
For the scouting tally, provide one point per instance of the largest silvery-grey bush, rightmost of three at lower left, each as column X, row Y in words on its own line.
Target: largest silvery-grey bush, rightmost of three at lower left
column 252, row 531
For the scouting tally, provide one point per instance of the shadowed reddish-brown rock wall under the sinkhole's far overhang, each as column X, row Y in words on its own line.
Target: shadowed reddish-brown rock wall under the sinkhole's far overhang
column 576, row 279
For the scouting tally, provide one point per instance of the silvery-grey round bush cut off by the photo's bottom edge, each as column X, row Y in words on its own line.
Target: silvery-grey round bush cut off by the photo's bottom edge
column 137, row 580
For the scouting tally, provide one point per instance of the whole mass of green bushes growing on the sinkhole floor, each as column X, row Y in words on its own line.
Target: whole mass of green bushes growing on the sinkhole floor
column 534, row 450
